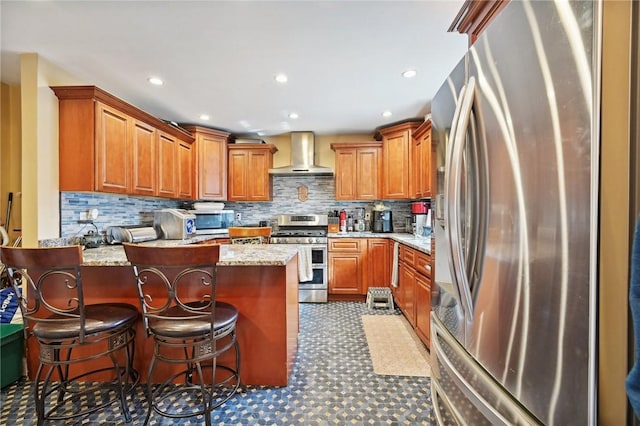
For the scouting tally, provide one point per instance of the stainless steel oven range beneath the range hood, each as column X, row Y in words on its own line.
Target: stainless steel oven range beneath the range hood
column 309, row 231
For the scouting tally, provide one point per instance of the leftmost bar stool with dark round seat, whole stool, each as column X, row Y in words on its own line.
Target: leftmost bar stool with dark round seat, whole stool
column 86, row 350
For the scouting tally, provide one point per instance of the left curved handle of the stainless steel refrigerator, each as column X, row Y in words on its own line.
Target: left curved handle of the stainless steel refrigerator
column 457, row 257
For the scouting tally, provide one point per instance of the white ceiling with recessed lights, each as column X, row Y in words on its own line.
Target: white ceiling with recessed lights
column 343, row 58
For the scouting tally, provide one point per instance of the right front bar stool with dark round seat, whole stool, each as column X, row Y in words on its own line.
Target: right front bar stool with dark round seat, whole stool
column 177, row 291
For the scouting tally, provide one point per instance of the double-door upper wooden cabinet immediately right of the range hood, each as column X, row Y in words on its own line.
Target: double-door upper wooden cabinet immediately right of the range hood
column 357, row 170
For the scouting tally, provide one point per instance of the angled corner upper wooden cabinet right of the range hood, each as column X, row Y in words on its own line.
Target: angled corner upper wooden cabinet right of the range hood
column 396, row 160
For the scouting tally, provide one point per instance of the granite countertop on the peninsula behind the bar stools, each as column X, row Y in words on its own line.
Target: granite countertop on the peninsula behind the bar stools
column 230, row 255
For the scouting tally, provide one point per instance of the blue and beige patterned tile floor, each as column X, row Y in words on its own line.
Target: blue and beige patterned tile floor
column 332, row 383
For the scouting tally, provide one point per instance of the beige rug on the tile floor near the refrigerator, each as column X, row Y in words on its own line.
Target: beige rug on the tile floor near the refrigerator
column 395, row 349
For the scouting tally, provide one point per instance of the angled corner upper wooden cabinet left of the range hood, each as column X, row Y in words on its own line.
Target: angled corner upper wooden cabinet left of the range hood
column 211, row 162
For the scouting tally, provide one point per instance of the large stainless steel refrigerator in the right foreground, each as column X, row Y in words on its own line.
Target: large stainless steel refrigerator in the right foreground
column 513, row 323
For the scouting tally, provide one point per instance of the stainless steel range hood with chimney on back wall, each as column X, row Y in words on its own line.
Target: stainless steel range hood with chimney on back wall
column 302, row 158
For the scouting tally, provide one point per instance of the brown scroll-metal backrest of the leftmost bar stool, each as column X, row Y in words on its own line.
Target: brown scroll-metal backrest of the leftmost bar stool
column 48, row 284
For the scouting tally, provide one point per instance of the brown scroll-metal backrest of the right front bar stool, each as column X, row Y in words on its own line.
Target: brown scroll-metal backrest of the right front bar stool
column 175, row 283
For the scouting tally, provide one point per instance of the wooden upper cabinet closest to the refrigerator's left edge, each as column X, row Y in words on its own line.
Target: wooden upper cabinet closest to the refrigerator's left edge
column 420, row 175
